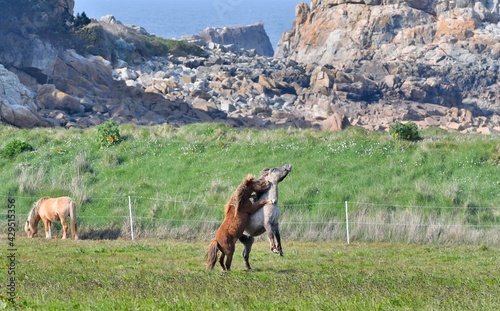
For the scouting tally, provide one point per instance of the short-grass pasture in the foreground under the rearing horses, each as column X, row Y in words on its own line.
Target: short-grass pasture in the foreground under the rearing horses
column 155, row 274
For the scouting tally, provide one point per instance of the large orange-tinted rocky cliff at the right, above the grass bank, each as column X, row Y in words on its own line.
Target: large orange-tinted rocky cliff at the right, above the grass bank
column 439, row 52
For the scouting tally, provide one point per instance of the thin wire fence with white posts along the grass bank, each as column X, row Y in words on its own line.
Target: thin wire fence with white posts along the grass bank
column 136, row 217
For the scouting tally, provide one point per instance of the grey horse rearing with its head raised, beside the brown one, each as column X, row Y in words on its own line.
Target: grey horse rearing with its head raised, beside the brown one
column 267, row 218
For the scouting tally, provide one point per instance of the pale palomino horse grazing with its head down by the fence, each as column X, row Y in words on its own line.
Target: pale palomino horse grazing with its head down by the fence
column 52, row 209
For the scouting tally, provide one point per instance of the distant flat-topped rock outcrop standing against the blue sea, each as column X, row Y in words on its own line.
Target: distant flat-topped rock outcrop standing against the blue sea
column 244, row 38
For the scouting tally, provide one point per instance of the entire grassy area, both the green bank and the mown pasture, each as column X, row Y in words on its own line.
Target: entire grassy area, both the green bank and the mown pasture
column 424, row 220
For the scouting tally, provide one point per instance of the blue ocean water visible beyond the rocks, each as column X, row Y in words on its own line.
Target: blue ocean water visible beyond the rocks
column 174, row 19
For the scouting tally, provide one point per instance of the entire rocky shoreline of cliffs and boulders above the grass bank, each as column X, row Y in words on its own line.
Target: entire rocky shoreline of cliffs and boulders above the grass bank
column 344, row 63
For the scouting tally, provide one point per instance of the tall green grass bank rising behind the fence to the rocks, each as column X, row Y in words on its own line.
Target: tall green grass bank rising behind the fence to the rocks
column 180, row 178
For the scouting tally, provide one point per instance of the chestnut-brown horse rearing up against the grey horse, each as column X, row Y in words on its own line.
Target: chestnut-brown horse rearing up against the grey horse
column 237, row 212
